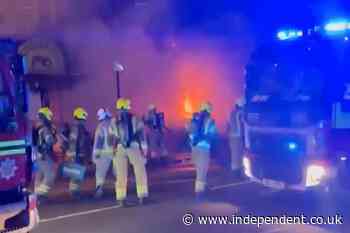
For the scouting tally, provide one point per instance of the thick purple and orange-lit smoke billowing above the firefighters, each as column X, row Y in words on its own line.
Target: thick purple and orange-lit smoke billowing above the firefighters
column 190, row 67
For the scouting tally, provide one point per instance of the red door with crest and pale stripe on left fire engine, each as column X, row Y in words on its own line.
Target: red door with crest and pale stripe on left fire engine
column 13, row 145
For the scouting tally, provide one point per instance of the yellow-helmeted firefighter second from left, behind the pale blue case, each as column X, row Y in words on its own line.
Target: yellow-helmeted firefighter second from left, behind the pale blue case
column 79, row 146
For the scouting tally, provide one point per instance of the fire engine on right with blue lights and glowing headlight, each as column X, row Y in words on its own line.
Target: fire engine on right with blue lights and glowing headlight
column 297, row 112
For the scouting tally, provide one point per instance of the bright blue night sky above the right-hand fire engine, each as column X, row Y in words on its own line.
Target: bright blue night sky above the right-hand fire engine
column 264, row 17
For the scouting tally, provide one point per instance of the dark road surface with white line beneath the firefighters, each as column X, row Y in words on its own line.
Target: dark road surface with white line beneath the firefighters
column 174, row 209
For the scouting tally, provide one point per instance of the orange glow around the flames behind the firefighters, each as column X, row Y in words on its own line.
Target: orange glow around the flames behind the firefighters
column 203, row 77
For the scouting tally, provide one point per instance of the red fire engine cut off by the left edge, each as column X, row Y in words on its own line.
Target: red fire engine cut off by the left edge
column 18, row 211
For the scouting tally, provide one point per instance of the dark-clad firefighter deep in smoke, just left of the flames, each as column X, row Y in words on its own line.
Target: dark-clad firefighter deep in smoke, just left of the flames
column 154, row 121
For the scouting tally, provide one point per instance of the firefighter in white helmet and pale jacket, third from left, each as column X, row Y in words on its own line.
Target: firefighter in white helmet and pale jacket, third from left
column 102, row 154
